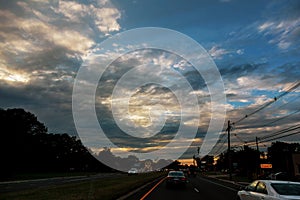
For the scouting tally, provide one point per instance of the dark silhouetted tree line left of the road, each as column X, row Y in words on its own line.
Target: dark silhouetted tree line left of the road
column 27, row 147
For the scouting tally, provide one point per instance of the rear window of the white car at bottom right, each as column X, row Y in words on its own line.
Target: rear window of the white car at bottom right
column 286, row 188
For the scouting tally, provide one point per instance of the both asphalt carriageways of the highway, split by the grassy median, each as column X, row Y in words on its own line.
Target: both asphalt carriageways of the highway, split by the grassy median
column 196, row 188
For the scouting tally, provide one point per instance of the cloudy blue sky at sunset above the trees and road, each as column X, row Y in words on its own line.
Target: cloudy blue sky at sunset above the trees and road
column 253, row 44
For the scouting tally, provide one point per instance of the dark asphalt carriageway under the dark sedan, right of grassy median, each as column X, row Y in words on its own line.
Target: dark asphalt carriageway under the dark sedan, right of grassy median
column 197, row 188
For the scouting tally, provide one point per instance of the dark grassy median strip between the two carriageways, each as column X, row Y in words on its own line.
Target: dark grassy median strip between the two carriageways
column 104, row 189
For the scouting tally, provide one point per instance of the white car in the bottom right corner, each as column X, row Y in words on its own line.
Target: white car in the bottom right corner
column 270, row 190
